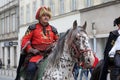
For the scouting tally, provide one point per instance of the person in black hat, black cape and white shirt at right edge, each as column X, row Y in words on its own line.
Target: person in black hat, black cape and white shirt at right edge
column 110, row 51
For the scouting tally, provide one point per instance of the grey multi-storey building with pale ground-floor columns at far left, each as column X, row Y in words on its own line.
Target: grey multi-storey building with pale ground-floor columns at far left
column 9, row 22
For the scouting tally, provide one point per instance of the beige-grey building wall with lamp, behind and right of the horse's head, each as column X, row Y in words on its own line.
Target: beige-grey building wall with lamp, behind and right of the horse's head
column 100, row 22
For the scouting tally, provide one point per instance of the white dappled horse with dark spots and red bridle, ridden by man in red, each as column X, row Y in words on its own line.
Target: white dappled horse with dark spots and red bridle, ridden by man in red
column 72, row 47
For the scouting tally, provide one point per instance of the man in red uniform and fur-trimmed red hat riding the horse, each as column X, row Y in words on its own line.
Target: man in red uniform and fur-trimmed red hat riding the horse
column 37, row 39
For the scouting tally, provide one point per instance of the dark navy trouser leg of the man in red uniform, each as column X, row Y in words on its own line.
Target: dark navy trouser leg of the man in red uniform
column 31, row 69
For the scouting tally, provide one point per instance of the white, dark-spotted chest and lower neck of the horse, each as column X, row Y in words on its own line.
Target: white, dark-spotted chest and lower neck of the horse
column 62, row 70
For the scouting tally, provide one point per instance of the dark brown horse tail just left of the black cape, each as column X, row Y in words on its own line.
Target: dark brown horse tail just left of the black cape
column 96, row 72
